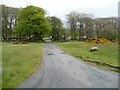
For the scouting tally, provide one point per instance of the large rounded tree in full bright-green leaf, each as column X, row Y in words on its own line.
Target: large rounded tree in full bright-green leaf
column 32, row 23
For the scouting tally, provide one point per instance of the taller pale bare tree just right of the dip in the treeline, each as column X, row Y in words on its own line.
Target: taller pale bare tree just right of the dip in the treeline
column 81, row 23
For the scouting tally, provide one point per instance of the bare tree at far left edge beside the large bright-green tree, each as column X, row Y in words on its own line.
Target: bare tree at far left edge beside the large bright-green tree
column 9, row 15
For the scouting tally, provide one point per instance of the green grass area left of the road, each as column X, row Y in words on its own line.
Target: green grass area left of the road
column 20, row 61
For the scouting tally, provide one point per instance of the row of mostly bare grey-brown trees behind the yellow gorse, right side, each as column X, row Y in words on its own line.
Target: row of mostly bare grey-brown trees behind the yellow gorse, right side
column 85, row 25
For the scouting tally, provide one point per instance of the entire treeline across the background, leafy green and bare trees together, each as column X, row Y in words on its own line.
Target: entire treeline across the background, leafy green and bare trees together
column 32, row 24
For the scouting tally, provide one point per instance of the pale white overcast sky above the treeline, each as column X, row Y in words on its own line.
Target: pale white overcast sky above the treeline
column 59, row 8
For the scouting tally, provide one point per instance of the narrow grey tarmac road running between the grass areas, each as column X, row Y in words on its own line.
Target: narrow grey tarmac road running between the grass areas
column 60, row 70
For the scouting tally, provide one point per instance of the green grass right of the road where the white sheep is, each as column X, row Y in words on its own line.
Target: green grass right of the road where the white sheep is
column 107, row 54
